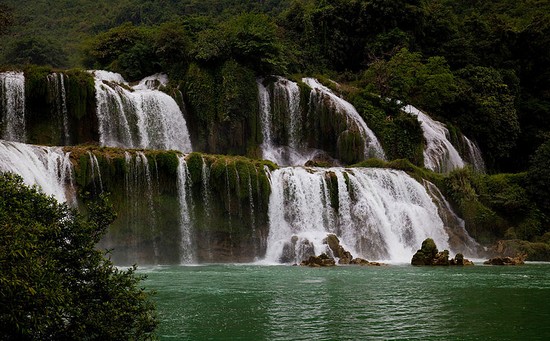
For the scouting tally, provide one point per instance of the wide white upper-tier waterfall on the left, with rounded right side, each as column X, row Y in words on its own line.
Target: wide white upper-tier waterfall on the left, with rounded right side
column 139, row 116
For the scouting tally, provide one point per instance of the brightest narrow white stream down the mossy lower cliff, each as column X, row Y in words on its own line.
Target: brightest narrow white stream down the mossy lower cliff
column 187, row 252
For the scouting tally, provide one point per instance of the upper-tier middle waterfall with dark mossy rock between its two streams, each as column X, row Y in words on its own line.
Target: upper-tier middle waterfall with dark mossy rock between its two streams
column 325, row 127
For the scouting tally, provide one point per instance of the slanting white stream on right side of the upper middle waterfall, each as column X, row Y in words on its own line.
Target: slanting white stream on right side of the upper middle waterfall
column 372, row 145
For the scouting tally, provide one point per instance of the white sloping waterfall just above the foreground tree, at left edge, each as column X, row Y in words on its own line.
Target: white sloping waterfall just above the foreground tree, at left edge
column 47, row 167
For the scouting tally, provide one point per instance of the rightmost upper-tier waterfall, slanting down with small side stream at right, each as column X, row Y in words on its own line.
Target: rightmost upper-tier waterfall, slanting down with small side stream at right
column 439, row 154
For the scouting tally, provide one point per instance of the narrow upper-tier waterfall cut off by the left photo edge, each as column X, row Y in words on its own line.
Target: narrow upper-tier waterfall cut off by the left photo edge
column 12, row 106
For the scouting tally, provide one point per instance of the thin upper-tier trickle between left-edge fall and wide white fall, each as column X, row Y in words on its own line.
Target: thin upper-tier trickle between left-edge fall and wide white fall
column 58, row 98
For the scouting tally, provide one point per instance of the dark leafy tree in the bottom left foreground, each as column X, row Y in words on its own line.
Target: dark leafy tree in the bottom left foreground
column 54, row 284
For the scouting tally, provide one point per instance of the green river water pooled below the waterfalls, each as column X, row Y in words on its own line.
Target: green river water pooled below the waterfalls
column 252, row 302
